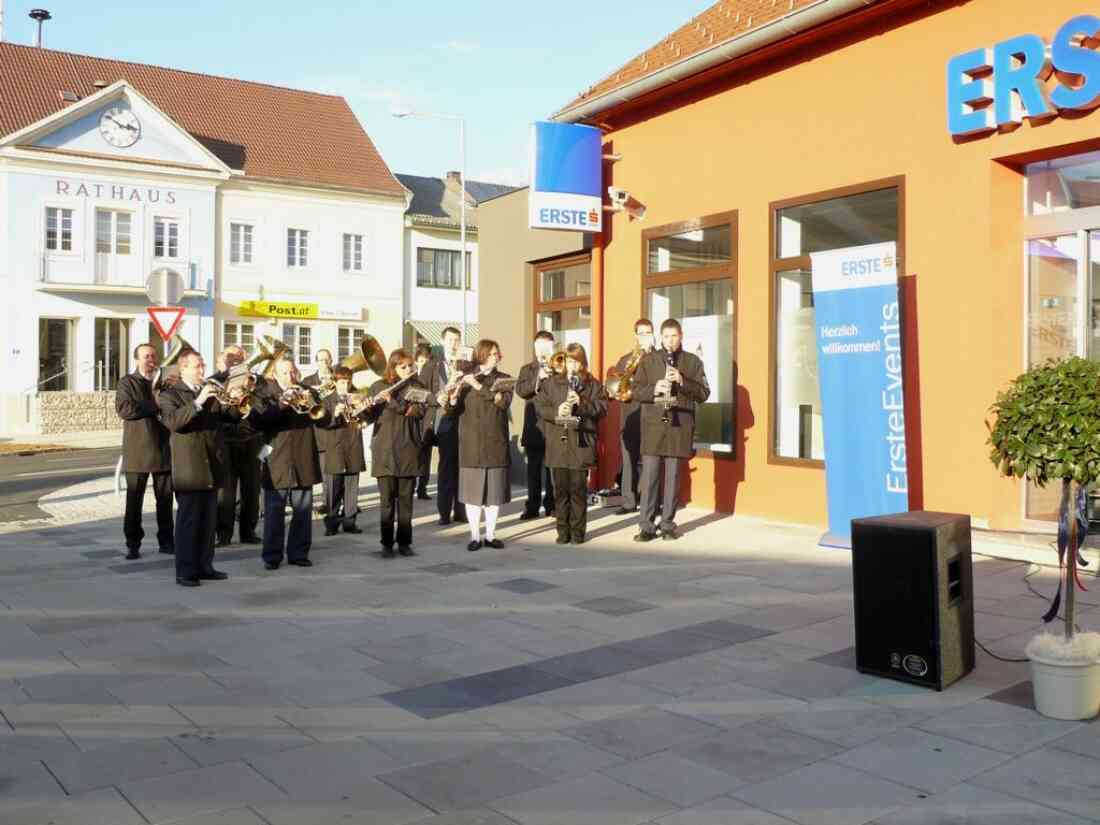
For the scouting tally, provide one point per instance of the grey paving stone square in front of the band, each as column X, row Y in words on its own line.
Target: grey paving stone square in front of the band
column 709, row 681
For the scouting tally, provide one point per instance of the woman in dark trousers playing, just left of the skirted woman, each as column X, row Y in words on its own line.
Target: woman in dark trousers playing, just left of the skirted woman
column 395, row 450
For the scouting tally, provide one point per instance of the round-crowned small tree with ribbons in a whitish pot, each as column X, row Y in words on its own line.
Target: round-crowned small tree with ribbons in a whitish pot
column 1048, row 430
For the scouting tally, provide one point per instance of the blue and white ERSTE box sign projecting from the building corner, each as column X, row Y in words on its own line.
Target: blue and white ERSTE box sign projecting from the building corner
column 567, row 178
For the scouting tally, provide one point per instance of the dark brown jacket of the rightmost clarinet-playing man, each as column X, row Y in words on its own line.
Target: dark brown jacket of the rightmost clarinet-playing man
column 677, row 438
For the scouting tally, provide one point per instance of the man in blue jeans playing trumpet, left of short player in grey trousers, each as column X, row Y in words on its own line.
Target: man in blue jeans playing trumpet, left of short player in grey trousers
column 291, row 471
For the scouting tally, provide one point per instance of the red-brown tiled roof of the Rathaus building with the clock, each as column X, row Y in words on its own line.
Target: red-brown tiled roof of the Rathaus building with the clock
column 268, row 131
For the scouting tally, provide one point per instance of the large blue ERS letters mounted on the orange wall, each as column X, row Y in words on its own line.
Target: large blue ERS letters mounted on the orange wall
column 989, row 89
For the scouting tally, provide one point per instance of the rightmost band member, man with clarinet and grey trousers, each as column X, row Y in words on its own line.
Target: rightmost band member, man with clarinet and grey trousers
column 669, row 384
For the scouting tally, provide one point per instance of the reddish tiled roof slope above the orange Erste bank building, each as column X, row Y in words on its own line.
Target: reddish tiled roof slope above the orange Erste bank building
column 724, row 21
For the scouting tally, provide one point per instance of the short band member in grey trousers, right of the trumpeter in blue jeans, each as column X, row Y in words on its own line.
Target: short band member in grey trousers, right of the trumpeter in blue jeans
column 344, row 460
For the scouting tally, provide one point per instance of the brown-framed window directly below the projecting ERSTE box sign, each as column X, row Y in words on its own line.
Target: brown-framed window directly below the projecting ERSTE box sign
column 563, row 301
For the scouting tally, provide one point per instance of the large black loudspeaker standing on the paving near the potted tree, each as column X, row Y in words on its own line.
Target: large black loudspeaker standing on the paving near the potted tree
column 914, row 587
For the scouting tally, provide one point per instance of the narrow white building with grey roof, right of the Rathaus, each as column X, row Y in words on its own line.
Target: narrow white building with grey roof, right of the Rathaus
column 433, row 252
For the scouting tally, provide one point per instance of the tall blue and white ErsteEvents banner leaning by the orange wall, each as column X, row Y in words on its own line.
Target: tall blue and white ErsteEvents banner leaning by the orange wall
column 859, row 334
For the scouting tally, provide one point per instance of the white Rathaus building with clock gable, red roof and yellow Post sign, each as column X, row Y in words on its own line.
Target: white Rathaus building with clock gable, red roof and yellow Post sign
column 272, row 203
